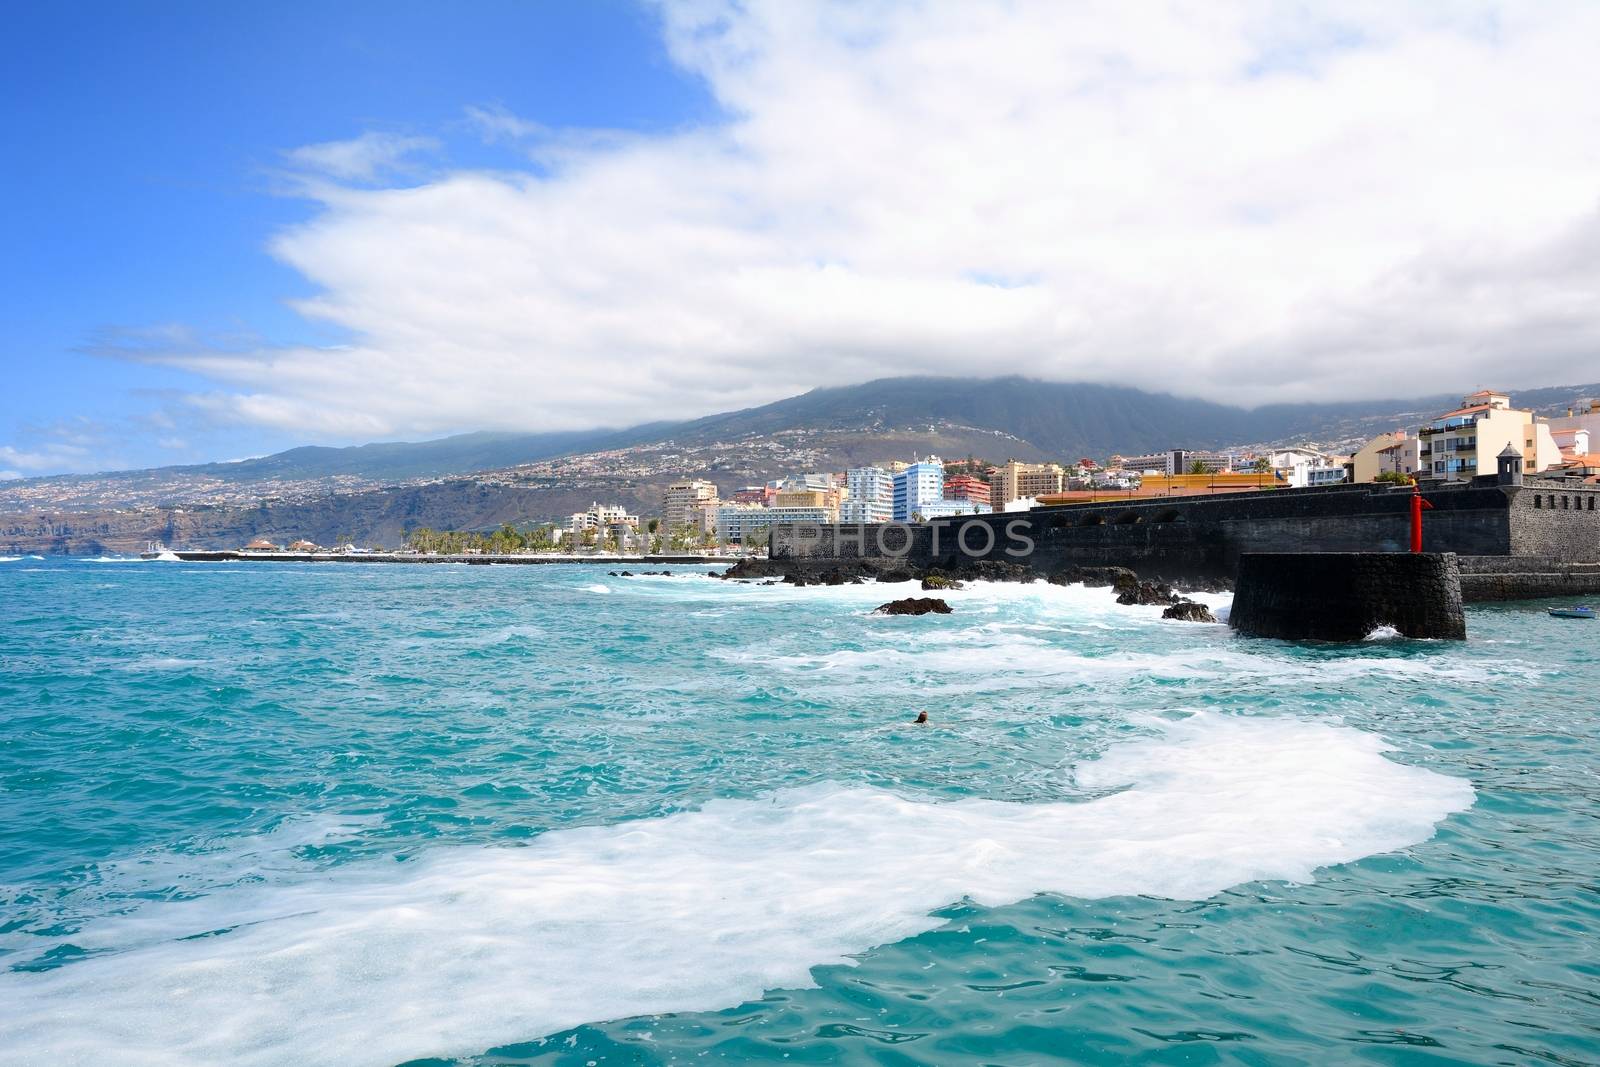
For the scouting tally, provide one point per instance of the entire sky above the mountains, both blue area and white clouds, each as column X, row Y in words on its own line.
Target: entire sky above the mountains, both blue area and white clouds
column 241, row 228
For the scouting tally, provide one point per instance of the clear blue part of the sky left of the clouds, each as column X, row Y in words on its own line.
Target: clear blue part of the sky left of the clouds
column 145, row 175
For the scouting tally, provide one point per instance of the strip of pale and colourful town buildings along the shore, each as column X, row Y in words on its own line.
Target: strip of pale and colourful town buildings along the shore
column 698, row 516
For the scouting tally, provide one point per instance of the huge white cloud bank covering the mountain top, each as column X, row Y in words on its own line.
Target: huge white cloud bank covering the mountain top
column 1247, row 202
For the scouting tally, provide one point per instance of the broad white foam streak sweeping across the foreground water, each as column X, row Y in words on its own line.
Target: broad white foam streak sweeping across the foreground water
column 471, row 948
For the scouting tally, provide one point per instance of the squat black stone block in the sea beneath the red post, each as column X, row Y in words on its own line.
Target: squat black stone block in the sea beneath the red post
column 1346, row 596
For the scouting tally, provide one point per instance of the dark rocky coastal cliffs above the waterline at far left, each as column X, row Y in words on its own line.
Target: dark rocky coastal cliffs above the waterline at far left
column 383, row 518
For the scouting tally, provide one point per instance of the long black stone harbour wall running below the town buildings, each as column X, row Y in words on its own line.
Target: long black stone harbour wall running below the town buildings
column 1196, row 541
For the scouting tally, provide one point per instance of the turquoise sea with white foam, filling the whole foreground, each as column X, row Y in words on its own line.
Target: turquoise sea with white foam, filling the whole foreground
column 540, row 815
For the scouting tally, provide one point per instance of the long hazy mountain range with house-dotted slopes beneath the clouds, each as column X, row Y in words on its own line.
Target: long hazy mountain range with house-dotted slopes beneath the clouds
column 473, row 481
